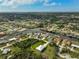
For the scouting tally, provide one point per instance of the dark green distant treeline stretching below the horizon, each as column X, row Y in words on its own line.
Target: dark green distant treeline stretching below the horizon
column 33, row 15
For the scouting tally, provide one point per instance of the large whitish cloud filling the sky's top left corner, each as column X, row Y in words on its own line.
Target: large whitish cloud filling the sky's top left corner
column 16, row 2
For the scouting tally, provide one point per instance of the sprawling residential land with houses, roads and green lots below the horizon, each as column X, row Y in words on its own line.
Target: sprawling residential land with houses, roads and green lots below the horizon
column 39, row 38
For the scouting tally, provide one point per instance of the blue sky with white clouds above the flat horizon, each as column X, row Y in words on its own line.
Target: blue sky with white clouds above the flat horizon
column 39, row 5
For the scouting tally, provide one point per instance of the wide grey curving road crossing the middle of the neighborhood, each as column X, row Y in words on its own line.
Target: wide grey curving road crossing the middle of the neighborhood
column 15, row 33
